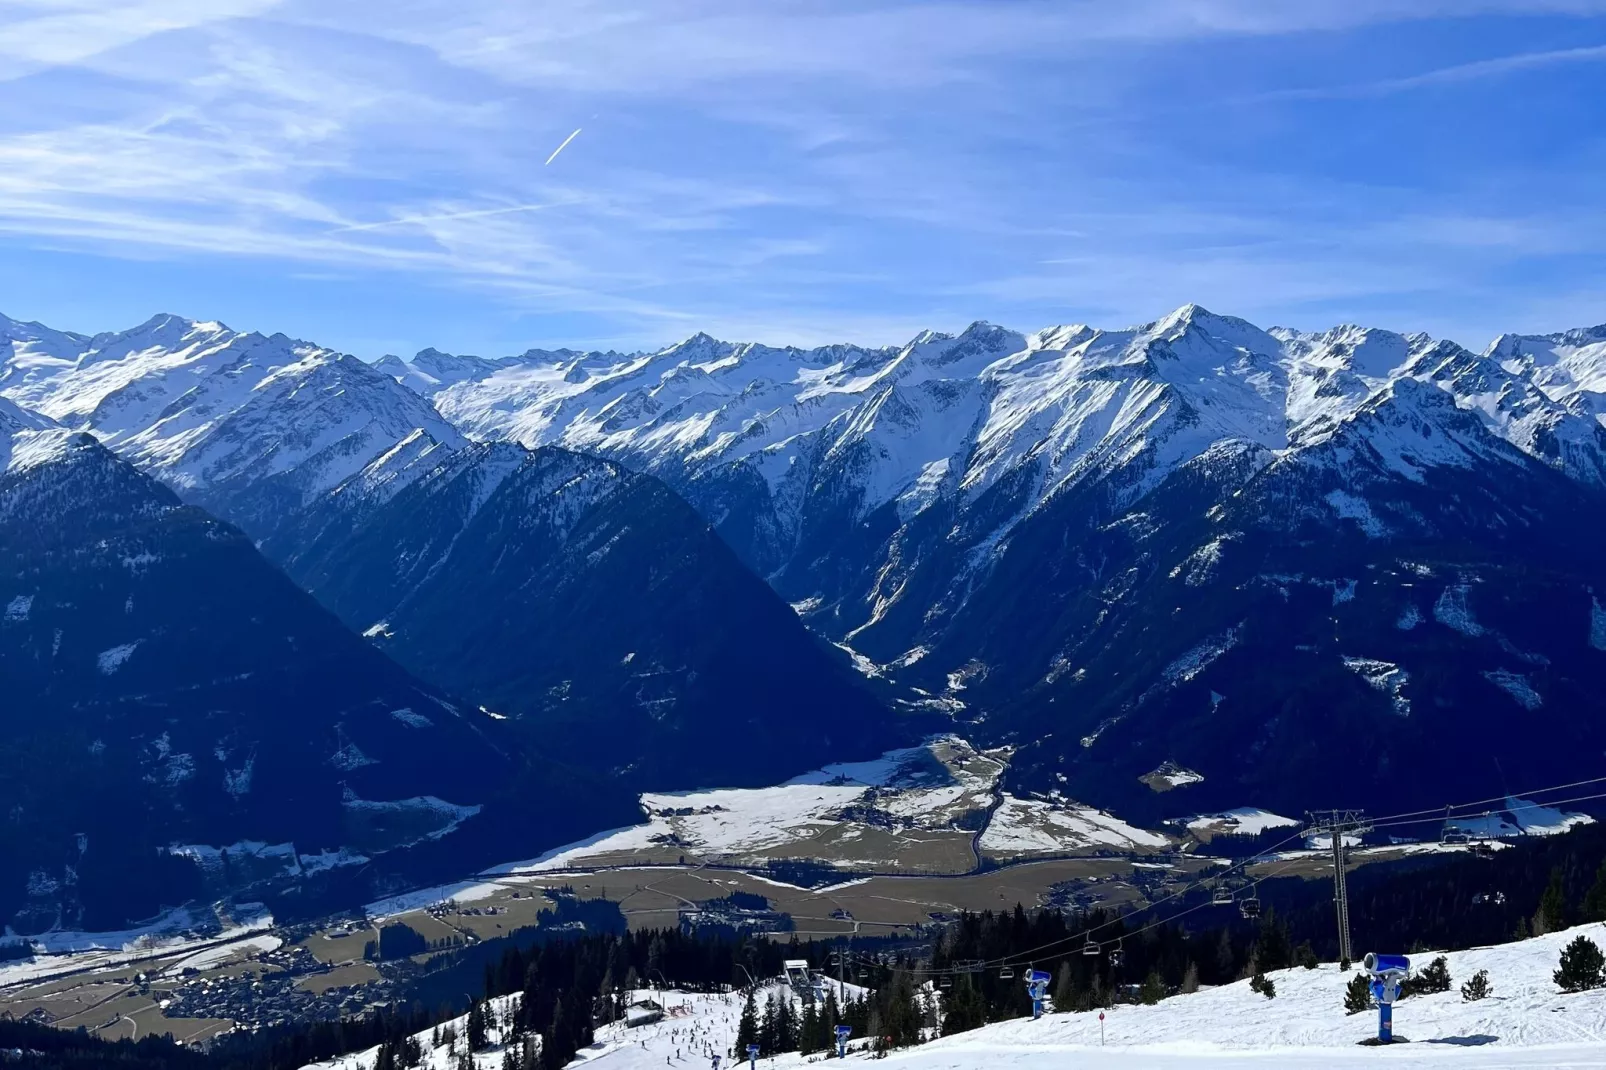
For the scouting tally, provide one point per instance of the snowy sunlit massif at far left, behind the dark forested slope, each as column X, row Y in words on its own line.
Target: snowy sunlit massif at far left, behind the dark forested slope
column 248, row 425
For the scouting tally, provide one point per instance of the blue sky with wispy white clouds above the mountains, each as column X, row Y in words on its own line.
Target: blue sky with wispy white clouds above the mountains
column 372, row 176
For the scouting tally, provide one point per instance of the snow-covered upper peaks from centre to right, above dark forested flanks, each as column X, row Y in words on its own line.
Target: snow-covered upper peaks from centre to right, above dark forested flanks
column 785, row 449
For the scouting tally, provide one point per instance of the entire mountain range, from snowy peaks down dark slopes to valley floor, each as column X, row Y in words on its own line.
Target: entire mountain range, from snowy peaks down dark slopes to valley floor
column 396, row 619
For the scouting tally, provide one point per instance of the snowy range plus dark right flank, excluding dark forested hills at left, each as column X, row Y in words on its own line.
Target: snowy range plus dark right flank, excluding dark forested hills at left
column 1279, row 563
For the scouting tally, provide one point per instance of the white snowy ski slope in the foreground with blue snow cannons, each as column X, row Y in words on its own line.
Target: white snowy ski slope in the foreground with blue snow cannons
column 1525, row 1024
